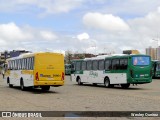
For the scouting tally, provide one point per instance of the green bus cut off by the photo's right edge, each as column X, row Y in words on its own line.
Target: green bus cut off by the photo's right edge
column 155, row 69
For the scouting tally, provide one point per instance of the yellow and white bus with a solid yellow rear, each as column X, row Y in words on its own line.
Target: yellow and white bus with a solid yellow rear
column 35, row 70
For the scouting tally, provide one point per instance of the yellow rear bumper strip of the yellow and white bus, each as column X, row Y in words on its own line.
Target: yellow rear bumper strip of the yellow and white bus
column 48, row 83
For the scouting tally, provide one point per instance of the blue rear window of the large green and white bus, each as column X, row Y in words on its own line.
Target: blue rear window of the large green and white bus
column 140, row 60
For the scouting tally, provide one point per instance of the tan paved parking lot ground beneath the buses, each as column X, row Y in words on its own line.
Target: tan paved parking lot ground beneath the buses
column 72, row 97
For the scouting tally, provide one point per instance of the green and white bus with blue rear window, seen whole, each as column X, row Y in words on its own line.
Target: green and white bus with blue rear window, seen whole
column 111, row 70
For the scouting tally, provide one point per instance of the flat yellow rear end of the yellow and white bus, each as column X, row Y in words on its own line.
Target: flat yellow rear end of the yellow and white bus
column 49, row 69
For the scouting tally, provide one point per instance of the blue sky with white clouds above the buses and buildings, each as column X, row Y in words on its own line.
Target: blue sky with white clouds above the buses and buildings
column 90, row 26
